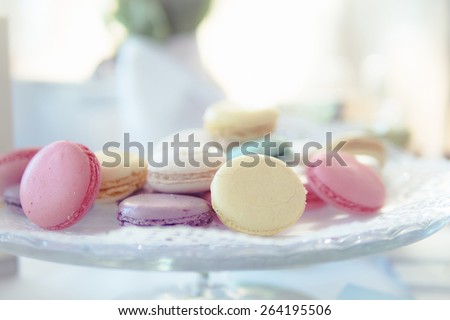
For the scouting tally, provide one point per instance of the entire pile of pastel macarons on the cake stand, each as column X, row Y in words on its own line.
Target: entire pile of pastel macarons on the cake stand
column 258, row 194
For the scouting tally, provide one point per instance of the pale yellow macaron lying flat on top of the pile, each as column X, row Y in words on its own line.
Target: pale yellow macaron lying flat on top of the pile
column 230, row 121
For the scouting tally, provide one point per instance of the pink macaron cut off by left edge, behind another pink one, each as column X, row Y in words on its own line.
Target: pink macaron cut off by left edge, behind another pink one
column 12, row 166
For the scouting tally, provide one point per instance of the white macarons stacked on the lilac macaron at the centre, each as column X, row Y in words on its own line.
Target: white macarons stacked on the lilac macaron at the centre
column 173, row 194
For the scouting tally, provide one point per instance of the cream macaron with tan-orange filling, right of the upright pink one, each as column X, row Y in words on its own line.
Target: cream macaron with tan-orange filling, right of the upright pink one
column 122, row 175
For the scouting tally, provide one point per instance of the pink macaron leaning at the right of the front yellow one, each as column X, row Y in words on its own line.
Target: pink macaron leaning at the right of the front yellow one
column 353, row 187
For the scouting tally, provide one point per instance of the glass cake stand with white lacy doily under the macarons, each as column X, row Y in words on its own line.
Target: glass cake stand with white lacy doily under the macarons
column 418, row 205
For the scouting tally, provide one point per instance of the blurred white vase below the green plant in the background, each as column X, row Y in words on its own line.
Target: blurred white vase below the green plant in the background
column 158, row 93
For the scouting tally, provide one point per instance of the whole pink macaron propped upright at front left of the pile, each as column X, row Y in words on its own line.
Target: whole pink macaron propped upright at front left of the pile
column 60, row 185
